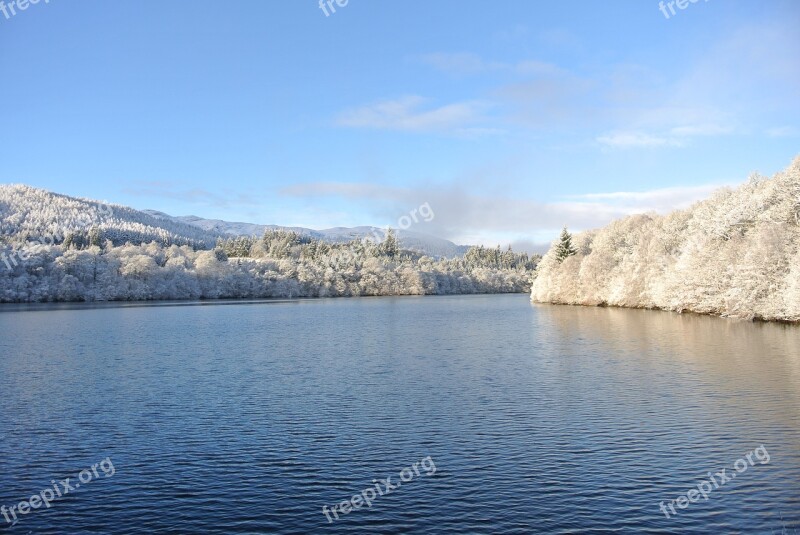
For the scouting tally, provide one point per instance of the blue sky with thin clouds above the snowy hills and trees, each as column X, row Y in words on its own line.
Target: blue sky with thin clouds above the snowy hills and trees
column 510, row 118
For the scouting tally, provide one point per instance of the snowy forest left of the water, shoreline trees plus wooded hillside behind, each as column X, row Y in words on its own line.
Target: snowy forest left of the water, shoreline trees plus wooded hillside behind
column 57, row 248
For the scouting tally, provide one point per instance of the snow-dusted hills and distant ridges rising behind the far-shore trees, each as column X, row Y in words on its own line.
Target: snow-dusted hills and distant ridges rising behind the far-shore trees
column 28, row 213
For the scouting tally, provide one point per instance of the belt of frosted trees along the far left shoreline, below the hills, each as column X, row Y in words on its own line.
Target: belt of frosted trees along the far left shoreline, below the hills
column 280, row 264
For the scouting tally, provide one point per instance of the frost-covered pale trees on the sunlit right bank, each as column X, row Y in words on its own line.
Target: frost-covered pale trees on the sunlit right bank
column 736, row 254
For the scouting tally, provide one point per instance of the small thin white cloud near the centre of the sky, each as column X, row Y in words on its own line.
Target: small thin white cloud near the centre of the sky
column 412, row 113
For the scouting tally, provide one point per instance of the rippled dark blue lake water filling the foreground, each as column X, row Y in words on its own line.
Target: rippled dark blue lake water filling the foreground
column 251, row 418
